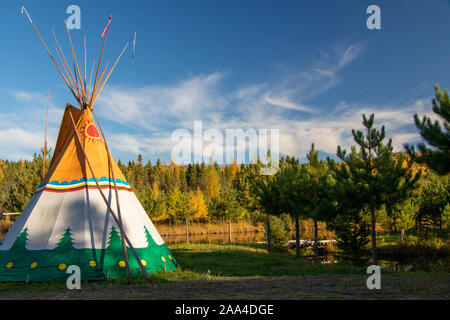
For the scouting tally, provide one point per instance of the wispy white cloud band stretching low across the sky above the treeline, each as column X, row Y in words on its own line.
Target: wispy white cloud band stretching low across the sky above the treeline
column 148, row 115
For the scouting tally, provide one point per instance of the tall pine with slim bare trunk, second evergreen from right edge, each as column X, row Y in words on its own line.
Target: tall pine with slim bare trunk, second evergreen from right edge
column 381, row 177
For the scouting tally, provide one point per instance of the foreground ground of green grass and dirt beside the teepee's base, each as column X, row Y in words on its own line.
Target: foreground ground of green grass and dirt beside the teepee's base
column 246, row 272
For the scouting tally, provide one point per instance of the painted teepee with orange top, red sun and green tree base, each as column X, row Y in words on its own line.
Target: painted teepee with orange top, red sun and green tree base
column 84, row 212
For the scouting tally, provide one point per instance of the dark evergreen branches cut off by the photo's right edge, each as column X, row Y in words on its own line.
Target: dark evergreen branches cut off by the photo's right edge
column 437, row 154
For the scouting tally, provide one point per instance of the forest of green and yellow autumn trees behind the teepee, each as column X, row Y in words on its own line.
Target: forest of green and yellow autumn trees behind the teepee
column 370, row 188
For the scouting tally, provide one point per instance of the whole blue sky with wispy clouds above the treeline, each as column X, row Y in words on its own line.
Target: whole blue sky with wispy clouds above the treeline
column 307, row 68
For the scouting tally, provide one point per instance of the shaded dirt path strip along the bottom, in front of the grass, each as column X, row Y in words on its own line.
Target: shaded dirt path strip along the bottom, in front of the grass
column 306, row 287
